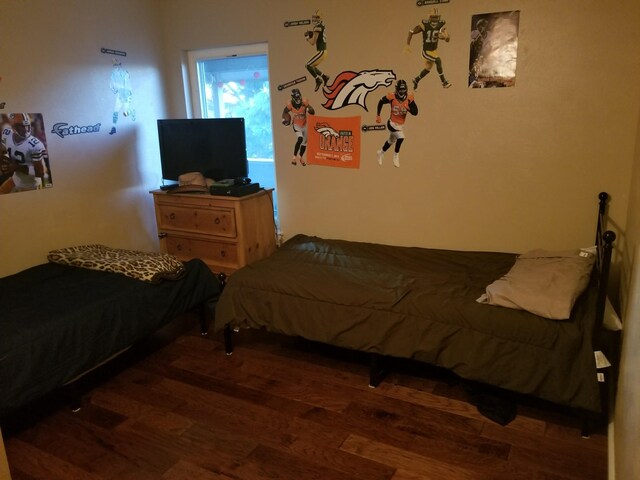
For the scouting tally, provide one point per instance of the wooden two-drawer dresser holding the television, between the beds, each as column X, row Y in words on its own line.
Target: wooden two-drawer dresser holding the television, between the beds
column 225, row 232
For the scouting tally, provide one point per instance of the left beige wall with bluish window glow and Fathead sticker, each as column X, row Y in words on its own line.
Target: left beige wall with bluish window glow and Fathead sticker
column 51, row 64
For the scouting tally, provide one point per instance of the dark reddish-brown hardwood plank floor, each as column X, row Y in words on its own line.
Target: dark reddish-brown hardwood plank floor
column 178, row 408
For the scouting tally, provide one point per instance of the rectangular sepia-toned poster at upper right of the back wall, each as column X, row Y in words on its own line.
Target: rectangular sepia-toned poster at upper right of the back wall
column 493, row 49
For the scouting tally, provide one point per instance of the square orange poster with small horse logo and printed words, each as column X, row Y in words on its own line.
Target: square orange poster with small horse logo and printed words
column 333, row 141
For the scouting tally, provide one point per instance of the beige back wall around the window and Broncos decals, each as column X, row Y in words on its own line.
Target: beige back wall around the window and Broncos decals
column 504, row 169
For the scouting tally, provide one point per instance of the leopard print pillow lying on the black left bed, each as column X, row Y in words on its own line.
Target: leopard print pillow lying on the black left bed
column 146, row 266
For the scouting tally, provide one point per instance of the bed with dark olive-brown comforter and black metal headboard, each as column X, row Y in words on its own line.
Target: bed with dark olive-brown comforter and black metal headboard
column 426, row 304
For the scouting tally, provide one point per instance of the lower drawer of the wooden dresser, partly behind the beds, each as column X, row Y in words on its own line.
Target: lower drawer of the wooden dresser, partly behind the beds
column 211, row 252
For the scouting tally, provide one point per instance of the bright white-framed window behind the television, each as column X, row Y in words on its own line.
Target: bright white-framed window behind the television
column 234, row 82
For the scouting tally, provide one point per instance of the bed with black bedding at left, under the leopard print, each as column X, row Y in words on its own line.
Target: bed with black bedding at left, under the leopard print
column 59, row 321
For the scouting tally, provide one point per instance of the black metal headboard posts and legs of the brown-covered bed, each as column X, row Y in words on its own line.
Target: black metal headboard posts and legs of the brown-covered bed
column 604, row 243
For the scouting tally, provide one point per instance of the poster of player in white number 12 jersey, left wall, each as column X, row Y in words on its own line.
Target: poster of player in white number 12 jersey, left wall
column 24, row 161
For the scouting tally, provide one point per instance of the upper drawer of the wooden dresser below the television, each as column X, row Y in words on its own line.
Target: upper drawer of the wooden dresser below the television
column 212, row 221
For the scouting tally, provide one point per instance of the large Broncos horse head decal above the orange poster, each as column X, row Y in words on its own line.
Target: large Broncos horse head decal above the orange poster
column 351, row 88
